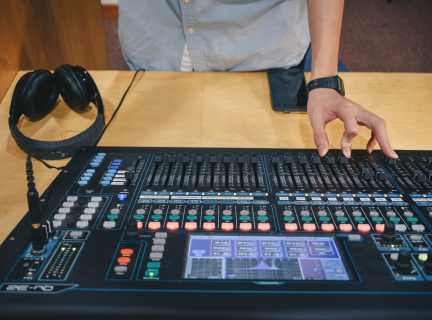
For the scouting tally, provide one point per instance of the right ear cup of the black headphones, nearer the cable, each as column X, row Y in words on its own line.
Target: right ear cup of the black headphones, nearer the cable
column 72, row 89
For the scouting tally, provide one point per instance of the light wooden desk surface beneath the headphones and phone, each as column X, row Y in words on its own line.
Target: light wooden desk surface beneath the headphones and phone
column 208, row 109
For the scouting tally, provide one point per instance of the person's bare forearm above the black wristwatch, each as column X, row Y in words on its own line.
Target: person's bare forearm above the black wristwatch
column 325, row 23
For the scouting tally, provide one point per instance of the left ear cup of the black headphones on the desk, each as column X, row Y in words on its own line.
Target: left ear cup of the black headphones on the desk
column 38, row 94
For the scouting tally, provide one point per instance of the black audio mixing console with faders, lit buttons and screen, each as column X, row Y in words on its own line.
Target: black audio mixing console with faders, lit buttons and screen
column 234, row 233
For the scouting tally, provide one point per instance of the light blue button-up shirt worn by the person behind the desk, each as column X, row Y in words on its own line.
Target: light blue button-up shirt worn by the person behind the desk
column 221, row 35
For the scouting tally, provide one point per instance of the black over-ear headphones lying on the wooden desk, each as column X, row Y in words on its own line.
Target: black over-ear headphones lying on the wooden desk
column 35, row 96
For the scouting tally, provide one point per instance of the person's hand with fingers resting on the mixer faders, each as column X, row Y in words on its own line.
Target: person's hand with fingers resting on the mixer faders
column 325, row 105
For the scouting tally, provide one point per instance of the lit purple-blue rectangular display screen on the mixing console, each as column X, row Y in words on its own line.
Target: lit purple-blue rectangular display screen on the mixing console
column 264, row 258
